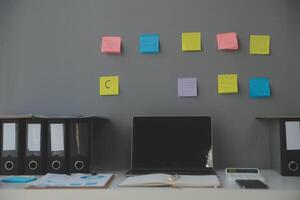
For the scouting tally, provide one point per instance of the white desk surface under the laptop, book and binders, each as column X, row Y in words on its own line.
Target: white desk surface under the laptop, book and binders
column 281, row 188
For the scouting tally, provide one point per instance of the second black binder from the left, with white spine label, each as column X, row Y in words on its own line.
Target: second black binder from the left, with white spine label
column 35, row 147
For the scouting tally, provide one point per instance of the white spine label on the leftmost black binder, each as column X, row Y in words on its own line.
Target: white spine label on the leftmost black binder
column 9, row 136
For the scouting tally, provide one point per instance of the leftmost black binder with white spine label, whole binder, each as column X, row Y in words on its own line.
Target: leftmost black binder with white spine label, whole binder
column 12, row 146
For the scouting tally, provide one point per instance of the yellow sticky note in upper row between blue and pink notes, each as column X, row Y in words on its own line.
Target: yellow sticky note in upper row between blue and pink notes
column 191, row 41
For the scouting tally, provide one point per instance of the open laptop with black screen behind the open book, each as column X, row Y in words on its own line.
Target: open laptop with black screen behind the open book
column 173, row 145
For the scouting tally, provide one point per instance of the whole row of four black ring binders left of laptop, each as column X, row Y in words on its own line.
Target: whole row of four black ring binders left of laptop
column 37, row 145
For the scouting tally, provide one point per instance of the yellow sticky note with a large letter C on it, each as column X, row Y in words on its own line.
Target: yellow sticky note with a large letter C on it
column 108, row 85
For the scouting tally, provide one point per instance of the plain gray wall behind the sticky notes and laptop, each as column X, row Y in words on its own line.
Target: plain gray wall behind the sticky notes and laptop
column 50, row 63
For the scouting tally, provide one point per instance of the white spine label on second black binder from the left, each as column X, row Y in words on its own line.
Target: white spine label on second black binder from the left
column 34, row 137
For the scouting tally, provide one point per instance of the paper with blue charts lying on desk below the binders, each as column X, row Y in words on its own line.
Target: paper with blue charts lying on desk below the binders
column 72, row 181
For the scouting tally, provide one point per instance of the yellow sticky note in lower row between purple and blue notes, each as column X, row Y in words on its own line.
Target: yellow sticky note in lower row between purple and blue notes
column 227, row 84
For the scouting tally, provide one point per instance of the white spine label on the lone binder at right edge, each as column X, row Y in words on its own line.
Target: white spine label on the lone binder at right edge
column 292, row 130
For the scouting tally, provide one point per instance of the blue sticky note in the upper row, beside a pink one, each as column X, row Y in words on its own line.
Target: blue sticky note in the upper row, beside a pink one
column 149, row 43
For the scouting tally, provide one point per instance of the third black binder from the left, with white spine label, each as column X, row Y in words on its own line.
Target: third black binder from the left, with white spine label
column 57, row 140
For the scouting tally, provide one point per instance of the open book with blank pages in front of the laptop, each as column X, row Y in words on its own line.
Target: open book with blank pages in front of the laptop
column 171, row 180
